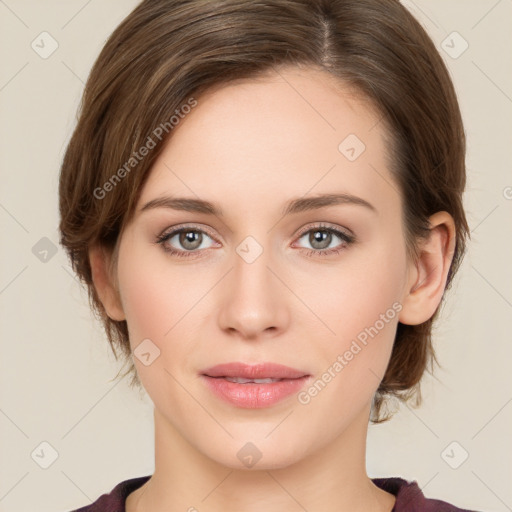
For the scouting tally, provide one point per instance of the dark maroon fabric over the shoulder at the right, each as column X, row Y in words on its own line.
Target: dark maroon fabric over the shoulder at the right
column 410, row 498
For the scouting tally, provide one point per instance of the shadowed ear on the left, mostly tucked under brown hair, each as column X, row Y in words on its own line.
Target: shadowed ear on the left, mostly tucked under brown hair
column 106, row 288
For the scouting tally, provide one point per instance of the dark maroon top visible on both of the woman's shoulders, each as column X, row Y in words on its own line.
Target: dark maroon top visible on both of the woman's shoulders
column 409, row 497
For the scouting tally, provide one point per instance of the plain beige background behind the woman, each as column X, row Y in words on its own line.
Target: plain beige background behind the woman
column 56, row 367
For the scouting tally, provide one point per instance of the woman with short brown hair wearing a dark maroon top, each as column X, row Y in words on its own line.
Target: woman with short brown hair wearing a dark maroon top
column 264, row 200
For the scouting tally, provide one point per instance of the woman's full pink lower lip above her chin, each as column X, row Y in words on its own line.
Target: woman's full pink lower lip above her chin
column 252, row 395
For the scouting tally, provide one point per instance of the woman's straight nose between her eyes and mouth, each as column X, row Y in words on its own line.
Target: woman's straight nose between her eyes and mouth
column 254, row 302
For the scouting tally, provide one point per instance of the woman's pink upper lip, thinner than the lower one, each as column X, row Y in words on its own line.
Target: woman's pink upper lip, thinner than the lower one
column 254, row 371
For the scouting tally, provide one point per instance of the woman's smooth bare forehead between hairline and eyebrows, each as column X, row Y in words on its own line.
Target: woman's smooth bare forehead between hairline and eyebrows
column 274, row 137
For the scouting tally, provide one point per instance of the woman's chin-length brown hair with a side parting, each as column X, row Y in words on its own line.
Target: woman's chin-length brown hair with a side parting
column 166, row 52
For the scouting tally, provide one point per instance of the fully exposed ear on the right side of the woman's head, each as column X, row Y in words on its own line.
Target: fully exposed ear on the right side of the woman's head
column 427, row 276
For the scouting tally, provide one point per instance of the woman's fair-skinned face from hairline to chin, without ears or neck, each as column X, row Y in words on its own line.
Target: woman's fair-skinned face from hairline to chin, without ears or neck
column 317, row 288
